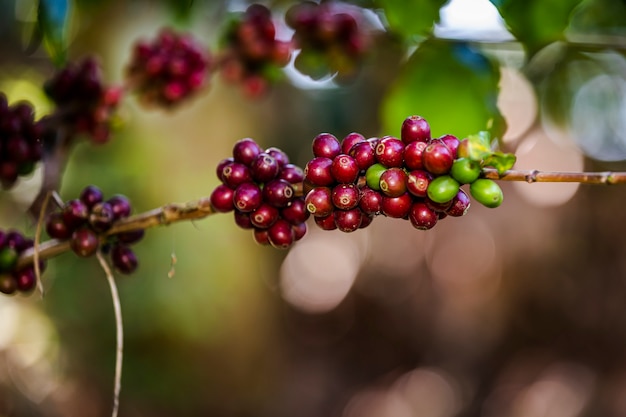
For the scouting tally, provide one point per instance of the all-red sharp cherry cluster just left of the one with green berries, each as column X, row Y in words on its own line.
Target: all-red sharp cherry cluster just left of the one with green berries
column 258, row 186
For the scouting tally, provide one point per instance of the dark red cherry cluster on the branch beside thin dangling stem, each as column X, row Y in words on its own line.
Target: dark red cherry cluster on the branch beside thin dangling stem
column 85, row 220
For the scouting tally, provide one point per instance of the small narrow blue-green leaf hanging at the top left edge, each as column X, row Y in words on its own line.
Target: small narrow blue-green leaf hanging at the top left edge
column 52, row 19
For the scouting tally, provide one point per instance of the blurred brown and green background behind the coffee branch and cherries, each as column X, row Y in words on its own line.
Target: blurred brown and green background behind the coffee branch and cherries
column 515, row 311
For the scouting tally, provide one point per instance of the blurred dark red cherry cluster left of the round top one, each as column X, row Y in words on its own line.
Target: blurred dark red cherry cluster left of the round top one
column 84, row 104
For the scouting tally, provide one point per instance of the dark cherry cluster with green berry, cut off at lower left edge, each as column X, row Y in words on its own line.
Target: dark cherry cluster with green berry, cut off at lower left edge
column 13, row 279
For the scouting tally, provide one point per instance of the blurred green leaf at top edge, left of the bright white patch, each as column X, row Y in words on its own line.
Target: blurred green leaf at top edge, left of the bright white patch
column 412, row 18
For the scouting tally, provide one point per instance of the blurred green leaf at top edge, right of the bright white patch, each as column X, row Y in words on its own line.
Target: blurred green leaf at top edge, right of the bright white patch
column 536, row 23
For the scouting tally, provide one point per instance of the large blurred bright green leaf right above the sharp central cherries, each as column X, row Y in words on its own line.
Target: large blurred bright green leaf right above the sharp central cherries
column 452, row 85
